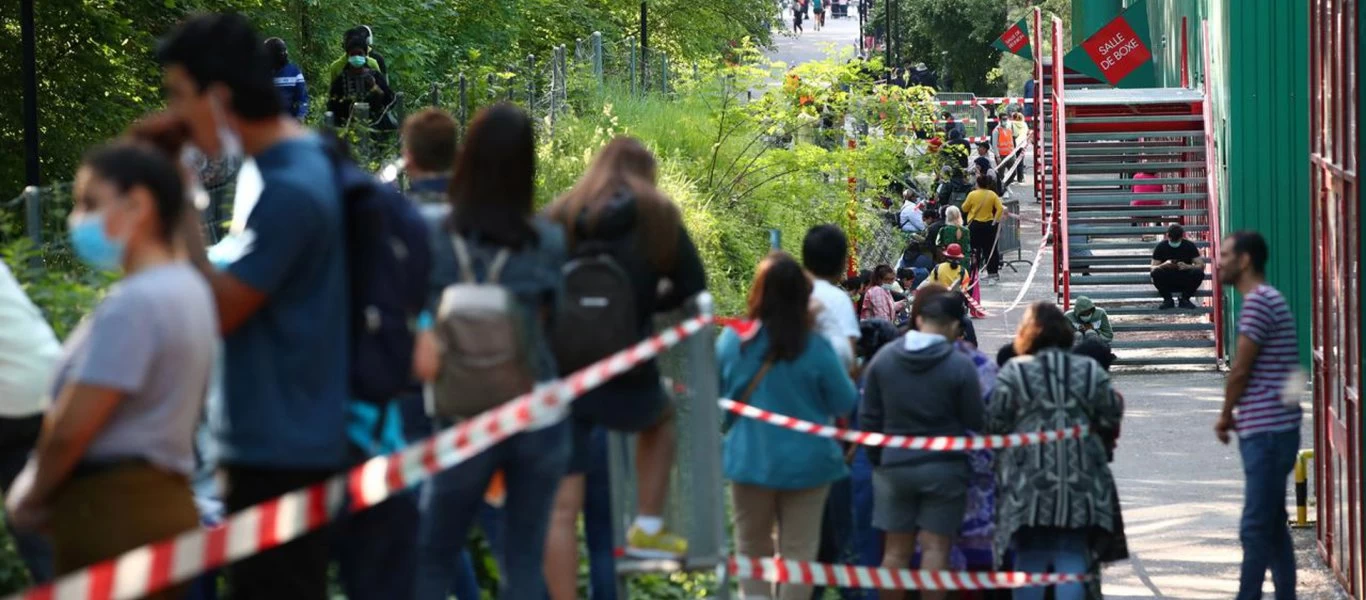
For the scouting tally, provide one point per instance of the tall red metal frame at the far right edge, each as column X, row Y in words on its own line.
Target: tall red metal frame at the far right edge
column 1337, row 288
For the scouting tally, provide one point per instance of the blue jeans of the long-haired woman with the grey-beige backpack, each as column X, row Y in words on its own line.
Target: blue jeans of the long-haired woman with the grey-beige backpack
column 532, row 465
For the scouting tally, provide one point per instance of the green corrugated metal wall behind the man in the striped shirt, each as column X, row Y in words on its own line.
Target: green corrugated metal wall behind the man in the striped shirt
column 1262, row 106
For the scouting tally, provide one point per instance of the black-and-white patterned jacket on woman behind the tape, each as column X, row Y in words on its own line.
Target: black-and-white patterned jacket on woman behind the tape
column 1061, row 485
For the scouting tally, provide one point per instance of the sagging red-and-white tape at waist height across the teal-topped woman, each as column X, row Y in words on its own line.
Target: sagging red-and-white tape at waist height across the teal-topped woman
column 939, row 444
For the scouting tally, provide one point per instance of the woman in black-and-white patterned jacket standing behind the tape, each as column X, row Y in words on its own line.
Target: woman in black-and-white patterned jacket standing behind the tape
column 1048, row 389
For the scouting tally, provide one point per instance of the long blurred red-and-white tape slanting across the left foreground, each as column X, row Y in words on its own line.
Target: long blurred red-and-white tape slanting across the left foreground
column 278, row 521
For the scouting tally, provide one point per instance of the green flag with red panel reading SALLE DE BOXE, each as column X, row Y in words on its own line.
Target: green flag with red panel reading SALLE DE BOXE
column 1121, row 54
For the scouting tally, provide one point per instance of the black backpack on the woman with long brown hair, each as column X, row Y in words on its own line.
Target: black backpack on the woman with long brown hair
column 598, row 314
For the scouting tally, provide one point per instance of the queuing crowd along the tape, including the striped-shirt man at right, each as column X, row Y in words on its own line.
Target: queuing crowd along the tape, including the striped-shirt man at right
column 256, row 355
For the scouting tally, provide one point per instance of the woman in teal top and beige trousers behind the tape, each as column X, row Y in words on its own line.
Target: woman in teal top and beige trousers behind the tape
column 779, row 476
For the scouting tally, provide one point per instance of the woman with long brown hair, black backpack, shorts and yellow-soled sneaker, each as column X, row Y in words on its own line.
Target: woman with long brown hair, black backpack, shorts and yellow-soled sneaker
column 617, row 211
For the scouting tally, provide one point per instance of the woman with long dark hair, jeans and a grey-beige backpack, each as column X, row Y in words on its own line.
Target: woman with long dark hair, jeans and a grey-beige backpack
column 494, row 237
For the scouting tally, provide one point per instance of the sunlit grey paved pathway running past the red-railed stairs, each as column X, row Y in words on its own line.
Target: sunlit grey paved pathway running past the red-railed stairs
column 1181, row 490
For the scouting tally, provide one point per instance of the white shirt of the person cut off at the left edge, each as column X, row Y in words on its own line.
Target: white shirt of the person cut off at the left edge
column 29, row 352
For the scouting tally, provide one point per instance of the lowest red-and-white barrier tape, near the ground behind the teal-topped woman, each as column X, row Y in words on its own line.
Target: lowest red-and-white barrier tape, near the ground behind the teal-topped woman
column 846, row 576
